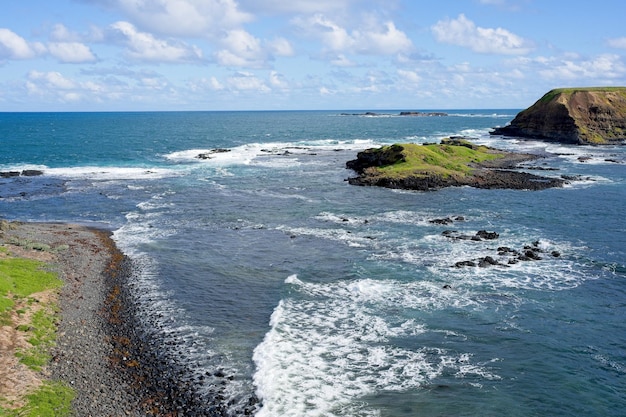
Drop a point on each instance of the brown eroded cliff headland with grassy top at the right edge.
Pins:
(574, 115)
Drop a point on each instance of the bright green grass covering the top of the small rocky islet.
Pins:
(450, 158)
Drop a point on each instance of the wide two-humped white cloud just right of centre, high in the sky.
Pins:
(374, 38)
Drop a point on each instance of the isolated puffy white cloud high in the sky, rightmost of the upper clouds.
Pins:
(463, 32)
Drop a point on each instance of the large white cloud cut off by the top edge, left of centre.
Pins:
(198, 18)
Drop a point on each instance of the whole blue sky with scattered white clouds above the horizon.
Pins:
(151, 55)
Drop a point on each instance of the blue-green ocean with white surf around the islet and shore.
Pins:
(259, 261)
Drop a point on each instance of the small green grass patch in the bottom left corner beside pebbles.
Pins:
(52, 399)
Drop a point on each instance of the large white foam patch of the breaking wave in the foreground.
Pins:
(328, 349)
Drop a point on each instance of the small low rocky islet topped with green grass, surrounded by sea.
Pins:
(453, 162)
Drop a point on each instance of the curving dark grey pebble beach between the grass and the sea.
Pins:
(115, 363)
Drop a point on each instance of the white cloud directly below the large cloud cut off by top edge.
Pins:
(144, 46)
